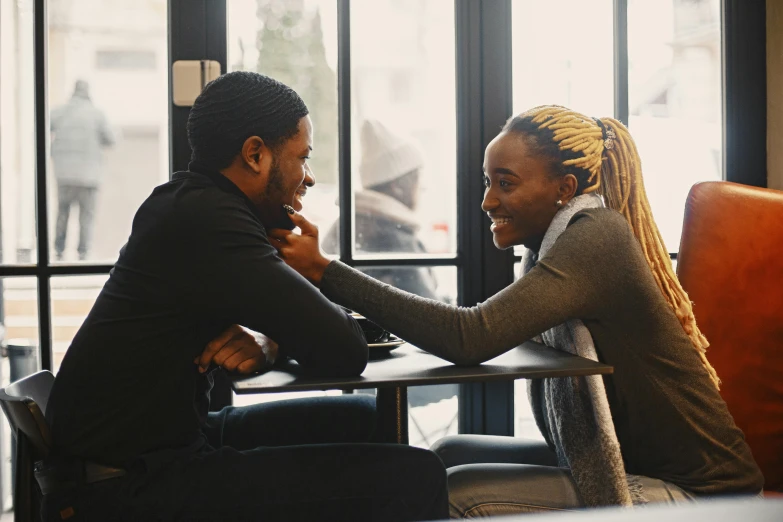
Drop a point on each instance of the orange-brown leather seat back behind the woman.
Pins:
(731, 265)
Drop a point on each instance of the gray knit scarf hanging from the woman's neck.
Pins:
(573, 412)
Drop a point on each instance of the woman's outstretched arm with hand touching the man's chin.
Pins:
(565, 284)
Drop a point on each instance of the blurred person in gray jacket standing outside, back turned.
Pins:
(79, 133)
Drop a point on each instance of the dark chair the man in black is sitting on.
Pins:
(24, 403)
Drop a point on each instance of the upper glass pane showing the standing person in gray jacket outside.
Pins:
(108, 100)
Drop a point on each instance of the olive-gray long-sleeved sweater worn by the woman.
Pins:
(670, 420)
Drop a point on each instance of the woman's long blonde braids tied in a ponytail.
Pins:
(603, 157)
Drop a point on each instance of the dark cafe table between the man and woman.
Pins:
(410, 366)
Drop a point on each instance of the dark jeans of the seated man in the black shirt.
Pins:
(303, 459)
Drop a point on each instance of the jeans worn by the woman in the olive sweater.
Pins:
(491, 476)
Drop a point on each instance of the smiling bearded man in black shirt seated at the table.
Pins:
(131, 396)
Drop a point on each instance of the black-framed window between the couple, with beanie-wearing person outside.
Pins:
(401, 176)
